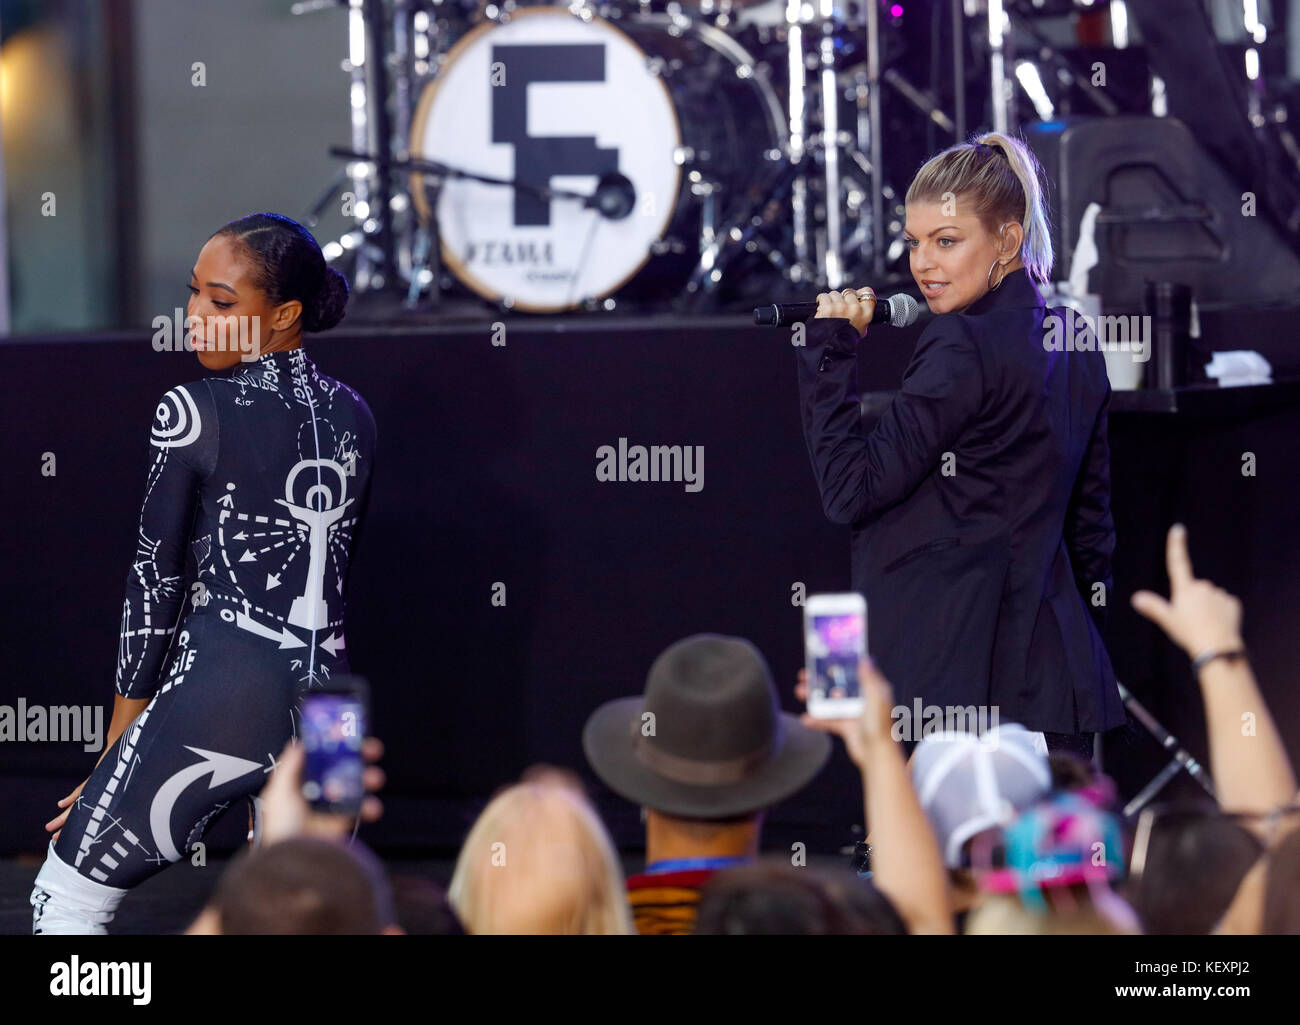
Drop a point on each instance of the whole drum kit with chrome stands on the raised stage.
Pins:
(613, 154)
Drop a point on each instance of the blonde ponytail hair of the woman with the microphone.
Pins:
(999, 175)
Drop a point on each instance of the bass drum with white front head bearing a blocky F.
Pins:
(675, 106)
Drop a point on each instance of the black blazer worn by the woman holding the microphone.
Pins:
(981, 511)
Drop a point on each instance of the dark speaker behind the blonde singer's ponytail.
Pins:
(1169, 213)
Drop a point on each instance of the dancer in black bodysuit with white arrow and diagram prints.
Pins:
(262, 474)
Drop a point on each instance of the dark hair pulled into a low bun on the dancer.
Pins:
(289, 265)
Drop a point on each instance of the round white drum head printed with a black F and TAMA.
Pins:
(557, 102)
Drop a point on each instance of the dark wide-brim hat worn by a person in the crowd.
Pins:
(708, 738)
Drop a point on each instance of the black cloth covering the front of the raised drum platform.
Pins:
(486, 473)
